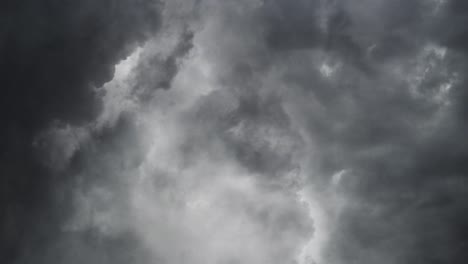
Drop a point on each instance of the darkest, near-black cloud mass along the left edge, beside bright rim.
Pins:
(53, 53)
